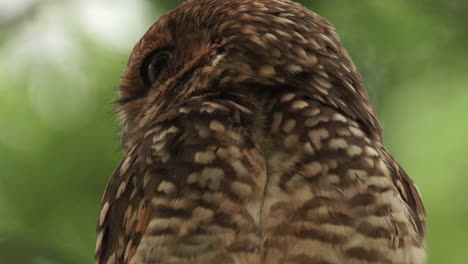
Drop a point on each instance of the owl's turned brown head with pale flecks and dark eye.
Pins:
(234, 46)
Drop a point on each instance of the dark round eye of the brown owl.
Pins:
(154, 65)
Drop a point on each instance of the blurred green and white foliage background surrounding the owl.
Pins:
(60, 63)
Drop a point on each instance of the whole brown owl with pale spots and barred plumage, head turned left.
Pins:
(250, 138)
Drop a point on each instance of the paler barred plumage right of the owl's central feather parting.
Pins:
(328, 195)
